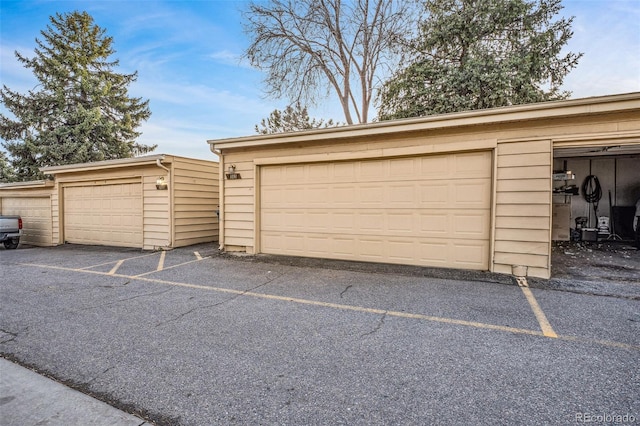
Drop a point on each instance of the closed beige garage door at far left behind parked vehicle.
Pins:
(36, 218)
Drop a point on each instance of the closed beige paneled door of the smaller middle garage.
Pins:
(104, 214)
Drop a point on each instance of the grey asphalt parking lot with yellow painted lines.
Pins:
(191, 337)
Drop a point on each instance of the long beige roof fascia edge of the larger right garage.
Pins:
(541, 110)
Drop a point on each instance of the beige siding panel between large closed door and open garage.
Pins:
(523, 215)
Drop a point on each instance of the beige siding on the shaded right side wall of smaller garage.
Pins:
(196, 191)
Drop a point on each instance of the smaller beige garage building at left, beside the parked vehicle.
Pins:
(150, 202)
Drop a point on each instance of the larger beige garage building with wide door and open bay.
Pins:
(470, 190)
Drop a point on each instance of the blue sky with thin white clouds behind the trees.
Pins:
(187, 54)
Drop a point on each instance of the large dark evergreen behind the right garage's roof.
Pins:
(475, 54)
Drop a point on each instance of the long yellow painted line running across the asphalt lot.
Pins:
(354, 308)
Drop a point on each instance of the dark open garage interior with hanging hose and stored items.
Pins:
(600, 245)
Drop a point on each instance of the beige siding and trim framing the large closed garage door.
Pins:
(521, 206)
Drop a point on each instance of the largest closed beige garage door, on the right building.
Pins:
(429, 210)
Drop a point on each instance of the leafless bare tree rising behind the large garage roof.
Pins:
(310, 45)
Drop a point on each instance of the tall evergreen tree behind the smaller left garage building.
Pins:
(80, 111)
